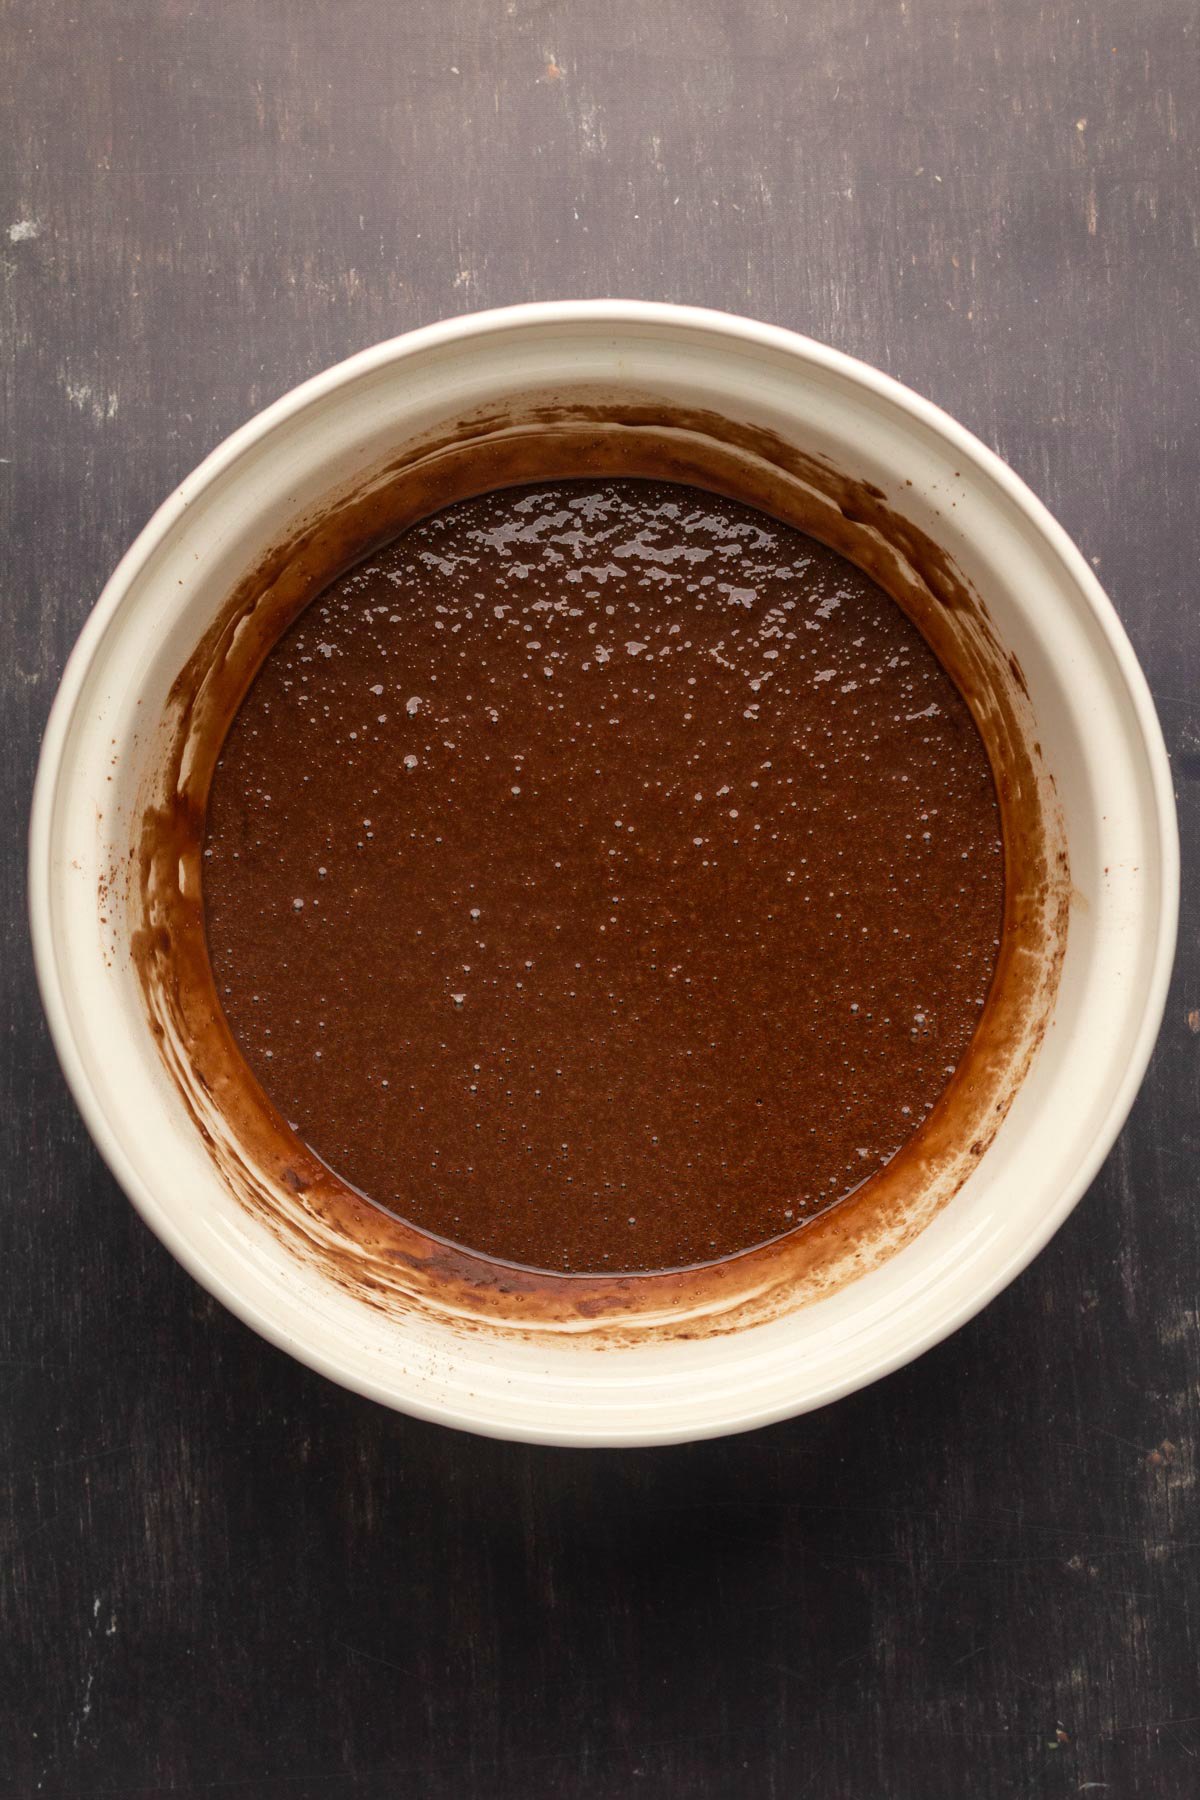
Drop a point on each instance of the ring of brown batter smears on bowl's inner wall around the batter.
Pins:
(399, 1268)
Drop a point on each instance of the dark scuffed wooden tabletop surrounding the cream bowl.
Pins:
(220, 1576)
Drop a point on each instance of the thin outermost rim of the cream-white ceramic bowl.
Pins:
(481, 325)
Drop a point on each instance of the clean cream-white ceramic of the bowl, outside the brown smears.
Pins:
(1098, 735)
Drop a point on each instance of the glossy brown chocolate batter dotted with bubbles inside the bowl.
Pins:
(604, 877)
